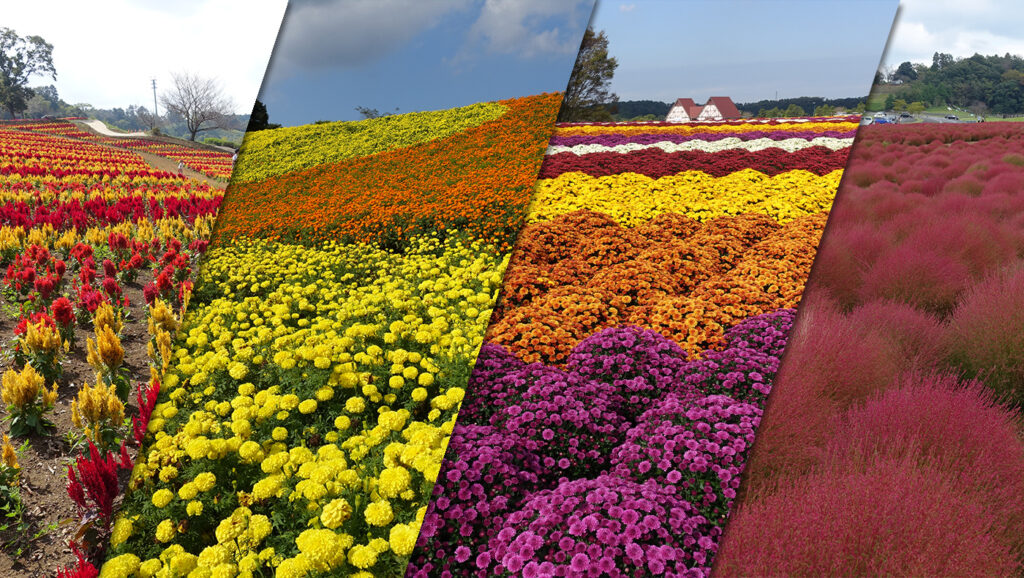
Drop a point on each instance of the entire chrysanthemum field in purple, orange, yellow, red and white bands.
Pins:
(639, 329)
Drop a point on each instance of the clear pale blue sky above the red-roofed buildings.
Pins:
(750, 51)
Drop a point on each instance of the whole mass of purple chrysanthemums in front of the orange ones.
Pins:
(623, 464)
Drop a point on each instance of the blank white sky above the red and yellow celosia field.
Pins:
(107, 57)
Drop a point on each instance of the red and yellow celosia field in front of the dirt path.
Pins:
(97, 250)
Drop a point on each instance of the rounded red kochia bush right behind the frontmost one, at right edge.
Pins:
(959, 429)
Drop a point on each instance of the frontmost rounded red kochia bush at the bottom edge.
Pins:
(894, 518)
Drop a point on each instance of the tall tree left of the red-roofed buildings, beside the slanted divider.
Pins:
(588, 91)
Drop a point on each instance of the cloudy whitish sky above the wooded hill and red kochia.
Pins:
(961, 29)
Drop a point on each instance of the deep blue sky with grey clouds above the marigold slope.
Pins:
(334, 56)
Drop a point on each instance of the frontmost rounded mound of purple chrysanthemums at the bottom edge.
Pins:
(618, 526)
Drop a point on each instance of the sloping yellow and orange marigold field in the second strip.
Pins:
(305, 416)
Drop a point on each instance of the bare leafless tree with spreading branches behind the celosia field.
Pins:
(200, 102)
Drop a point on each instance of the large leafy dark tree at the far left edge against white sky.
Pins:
(21, 59)
